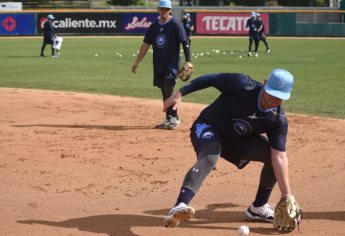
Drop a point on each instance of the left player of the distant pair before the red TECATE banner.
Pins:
(254, 27)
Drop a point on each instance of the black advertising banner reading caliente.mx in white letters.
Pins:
(83, 23)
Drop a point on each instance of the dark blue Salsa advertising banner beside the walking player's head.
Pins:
(137, 23)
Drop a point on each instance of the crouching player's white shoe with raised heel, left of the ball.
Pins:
(181, 212)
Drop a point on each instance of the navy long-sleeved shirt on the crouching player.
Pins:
(236, 113)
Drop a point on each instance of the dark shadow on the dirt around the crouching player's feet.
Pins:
(121, 224)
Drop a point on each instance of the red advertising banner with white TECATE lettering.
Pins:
(226, 23)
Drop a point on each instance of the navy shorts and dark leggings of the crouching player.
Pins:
(209, 146)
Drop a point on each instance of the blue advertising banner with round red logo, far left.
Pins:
(17, 24)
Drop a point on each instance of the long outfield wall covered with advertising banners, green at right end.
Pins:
(208, 22)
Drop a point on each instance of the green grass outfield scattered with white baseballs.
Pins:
(317, 64)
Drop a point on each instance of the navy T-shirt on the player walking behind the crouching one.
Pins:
(165, 39)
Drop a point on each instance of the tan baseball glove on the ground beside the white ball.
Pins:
(287, 214)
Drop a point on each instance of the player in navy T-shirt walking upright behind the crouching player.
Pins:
(165, 34)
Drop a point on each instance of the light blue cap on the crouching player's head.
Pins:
(279, 84)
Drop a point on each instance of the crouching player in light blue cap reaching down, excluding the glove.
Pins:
(231, 128)
